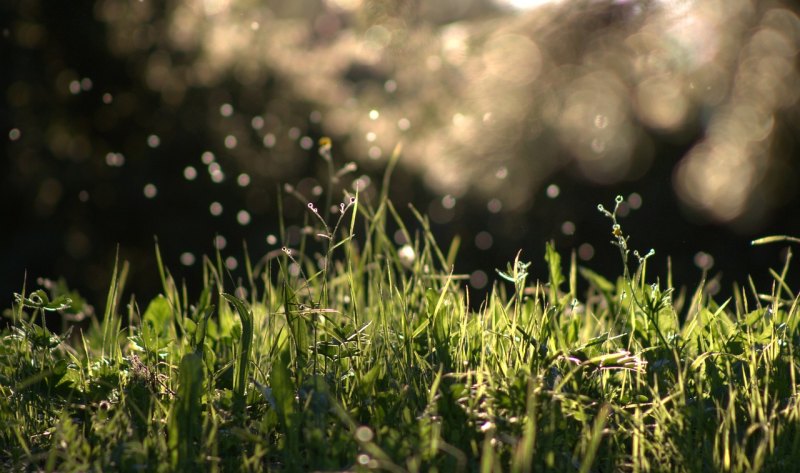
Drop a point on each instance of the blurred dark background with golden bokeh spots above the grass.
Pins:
(183, 119)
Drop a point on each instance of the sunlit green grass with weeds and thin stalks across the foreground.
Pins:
(347, 353)
